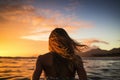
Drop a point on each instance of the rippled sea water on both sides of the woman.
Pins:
(96, 68)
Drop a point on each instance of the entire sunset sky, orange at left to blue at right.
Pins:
(25, 25)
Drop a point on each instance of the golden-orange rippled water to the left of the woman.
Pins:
(16, 68)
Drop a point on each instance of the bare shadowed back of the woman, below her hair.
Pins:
(55, 66)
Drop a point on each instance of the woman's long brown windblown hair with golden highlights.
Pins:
(61, 43)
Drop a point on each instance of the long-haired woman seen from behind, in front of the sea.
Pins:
(61, 63)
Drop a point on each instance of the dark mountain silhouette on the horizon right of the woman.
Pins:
(115, 52)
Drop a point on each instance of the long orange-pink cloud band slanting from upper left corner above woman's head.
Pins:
(25, 12)
